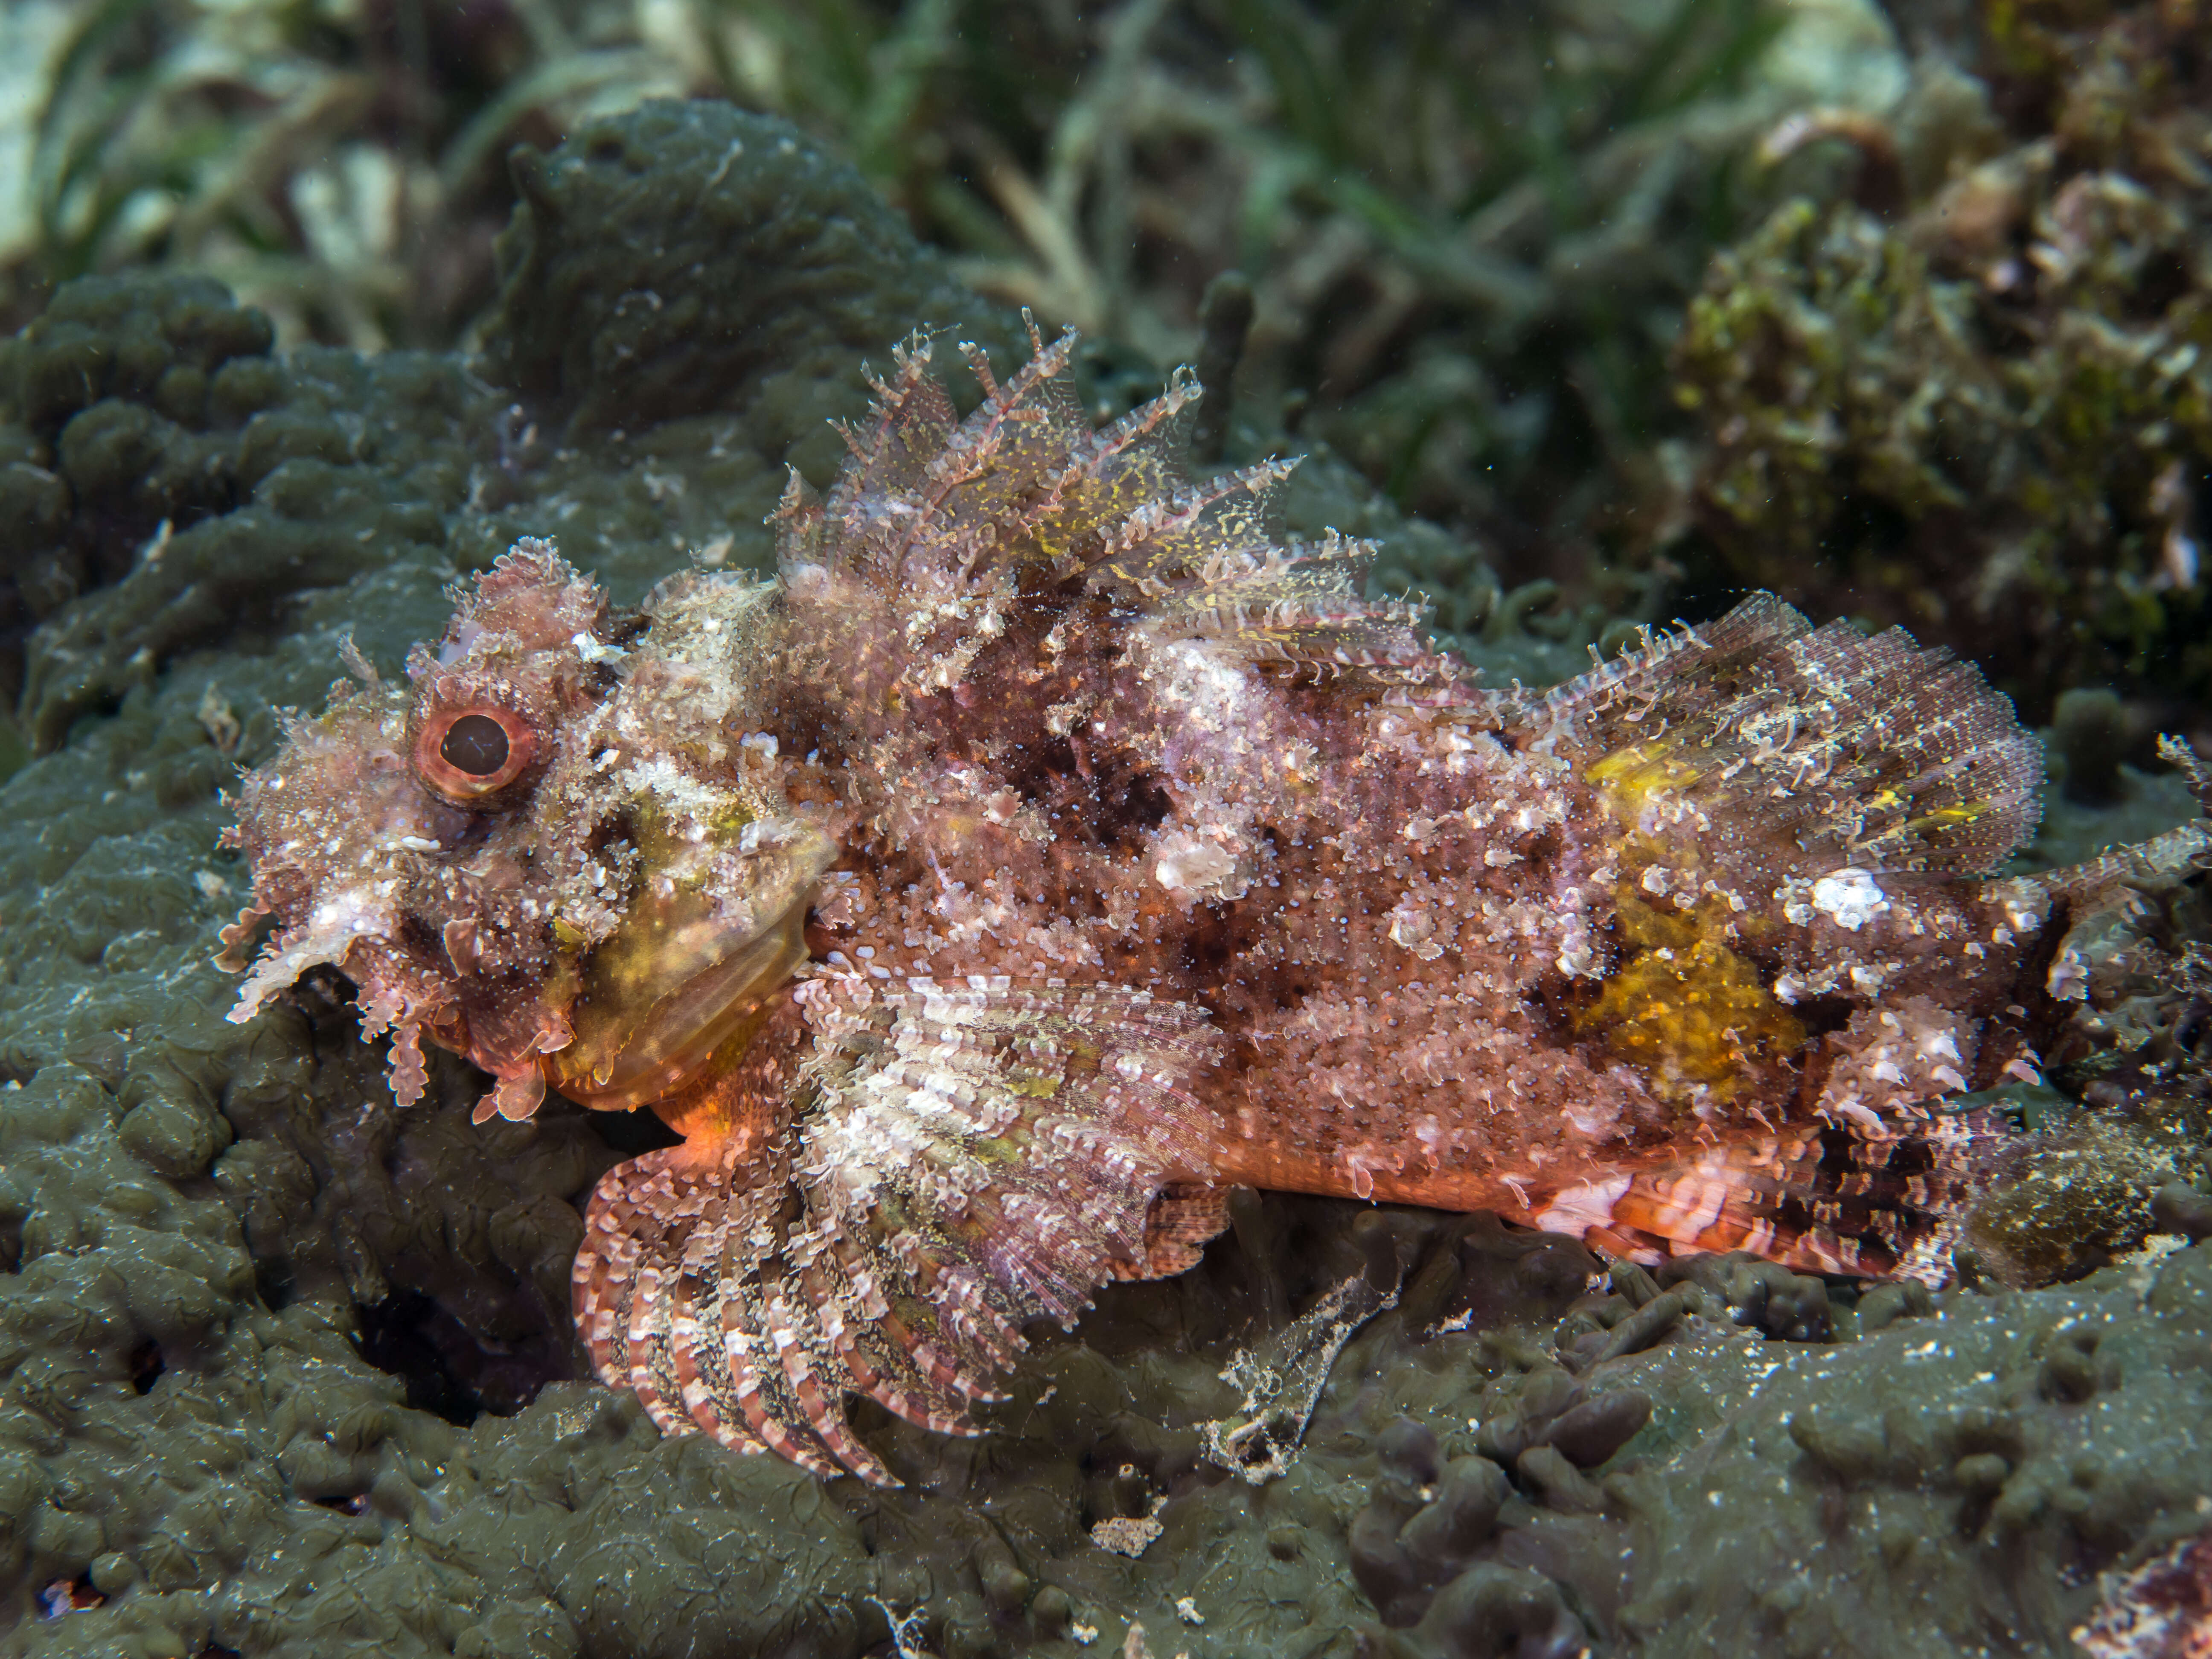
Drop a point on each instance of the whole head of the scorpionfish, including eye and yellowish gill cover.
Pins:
(556, 848)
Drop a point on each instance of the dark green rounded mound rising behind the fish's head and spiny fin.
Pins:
(696, 258)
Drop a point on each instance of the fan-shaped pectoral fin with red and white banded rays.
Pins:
(959, 1162)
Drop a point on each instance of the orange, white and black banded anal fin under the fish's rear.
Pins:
(1841, 1200)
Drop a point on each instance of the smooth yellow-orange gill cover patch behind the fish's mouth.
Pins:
(685, 983)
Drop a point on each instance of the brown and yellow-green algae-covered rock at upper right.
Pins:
(1987, 417)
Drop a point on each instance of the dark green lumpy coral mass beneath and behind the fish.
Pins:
(275, 1357)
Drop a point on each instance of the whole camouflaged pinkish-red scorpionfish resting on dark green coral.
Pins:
(1050, 851)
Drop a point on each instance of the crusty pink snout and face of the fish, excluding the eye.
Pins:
(444, 910)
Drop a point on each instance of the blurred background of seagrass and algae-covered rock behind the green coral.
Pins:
(1903, 315)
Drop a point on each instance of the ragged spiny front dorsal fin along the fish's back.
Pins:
(932, 510)
